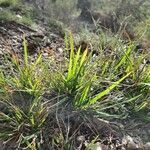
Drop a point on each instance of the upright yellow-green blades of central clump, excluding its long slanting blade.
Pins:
(71, 82)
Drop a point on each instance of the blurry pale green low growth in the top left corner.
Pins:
(17, 11)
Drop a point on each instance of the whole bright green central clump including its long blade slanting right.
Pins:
(78, 83)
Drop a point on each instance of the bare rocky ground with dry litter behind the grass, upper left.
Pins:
(39, 40)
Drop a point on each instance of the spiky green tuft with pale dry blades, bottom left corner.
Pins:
(23, 128)
